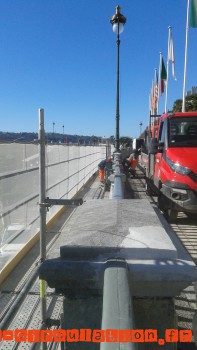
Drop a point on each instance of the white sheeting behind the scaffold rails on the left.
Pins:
(68, 168)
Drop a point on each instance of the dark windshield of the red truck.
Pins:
(182, 132)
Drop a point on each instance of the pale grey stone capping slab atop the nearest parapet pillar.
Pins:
(158, 264)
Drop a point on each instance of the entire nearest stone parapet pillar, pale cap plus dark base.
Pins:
(158, 265)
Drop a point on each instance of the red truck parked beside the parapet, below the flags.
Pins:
(169, 159)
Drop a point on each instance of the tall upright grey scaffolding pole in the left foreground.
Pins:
(42, 197)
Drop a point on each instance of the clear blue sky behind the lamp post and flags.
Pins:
(60, 55)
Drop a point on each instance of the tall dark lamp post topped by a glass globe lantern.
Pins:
(118, 21)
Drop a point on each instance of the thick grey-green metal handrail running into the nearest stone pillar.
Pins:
(117, 304)
